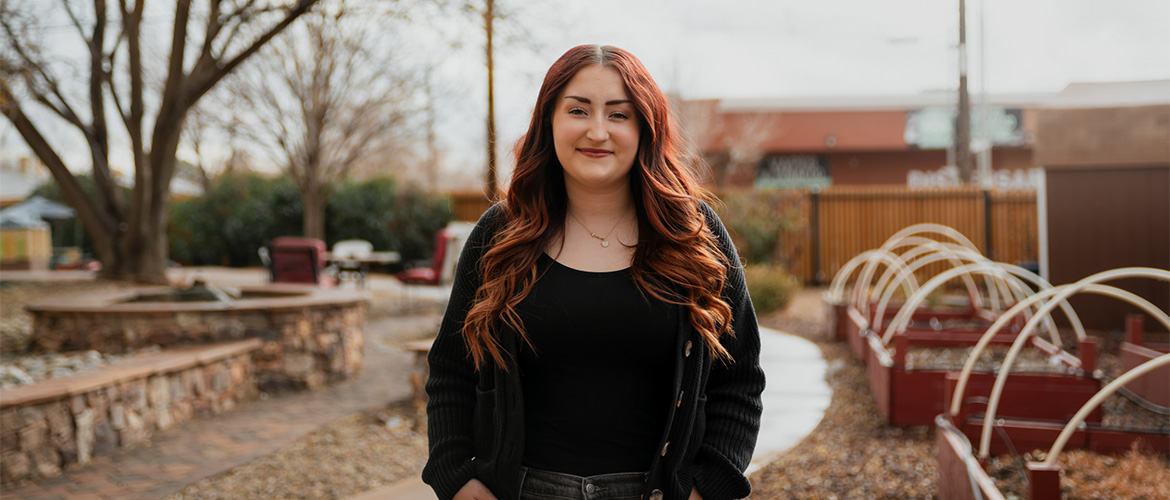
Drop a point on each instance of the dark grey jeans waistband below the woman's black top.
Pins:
(545, 485)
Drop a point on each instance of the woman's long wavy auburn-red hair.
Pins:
(677, 258)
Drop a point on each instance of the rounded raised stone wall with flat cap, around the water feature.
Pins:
(308, 341)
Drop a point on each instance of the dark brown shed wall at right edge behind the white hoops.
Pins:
(1105, 218)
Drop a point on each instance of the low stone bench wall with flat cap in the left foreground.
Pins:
(54, 424)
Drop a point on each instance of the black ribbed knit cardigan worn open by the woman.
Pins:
(476, 420)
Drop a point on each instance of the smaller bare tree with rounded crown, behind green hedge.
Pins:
(322, 101)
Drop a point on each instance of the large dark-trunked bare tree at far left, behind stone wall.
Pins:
(130, 236)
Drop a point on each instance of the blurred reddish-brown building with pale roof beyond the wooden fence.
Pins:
(804, 142)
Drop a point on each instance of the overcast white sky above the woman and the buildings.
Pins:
(784, 49)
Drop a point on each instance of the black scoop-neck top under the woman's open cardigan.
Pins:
(597, 389)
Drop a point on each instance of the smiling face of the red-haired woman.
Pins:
(596, 129)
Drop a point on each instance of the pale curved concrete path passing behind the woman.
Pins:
(795, 401)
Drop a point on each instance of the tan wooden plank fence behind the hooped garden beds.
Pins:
(831, 227)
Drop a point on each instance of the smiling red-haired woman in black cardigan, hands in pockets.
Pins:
(600, 343)
